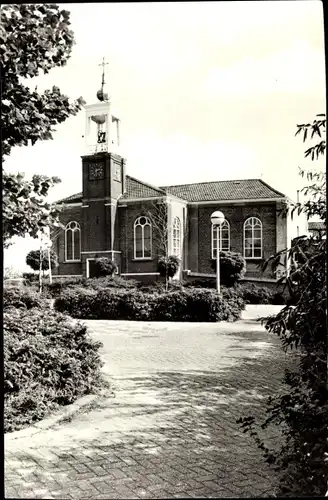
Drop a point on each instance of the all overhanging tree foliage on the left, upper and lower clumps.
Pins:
(33, 39)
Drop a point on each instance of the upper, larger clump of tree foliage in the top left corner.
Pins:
(33, 39)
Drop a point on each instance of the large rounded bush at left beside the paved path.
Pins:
(48, 362)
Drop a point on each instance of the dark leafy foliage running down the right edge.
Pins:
(302, 409)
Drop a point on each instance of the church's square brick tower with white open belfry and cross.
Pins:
(103, 180)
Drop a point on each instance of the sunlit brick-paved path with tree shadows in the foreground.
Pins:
(171, 430)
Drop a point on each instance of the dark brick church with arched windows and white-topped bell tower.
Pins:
(116, 215)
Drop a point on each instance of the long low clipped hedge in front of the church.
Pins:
(176, 305)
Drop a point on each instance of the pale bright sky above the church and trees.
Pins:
(205, 91)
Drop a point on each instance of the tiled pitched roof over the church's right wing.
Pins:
(245, 189)
